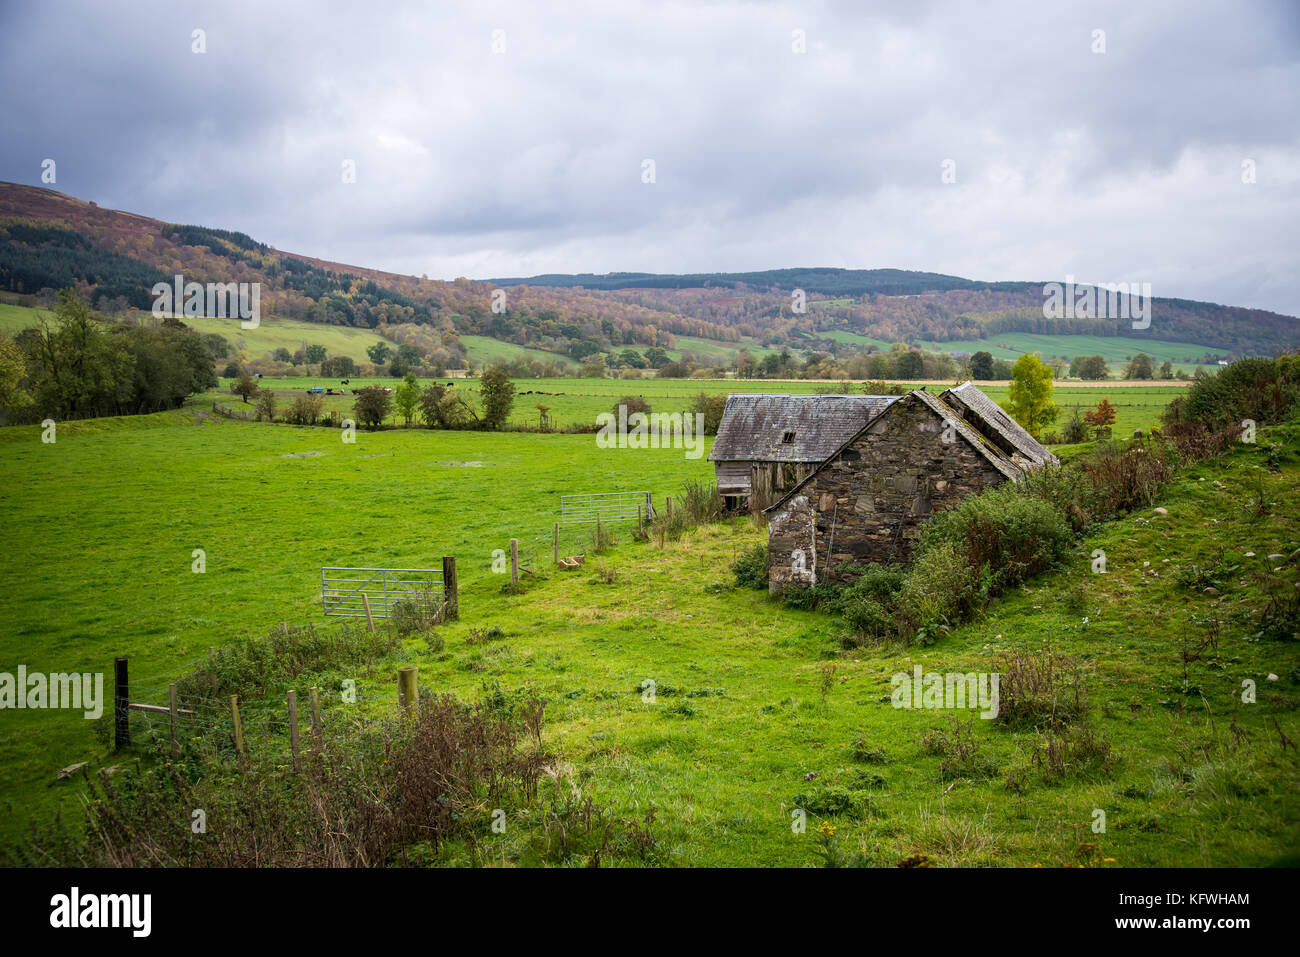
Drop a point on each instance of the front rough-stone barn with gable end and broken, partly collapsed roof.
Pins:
(868, 500)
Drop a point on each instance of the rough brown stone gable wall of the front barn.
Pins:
(868, 504)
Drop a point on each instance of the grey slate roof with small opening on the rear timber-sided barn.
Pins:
(755, 426)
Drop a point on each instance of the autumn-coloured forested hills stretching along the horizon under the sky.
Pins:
(50, 241)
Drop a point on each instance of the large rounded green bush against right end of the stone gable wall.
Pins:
(1003, 531)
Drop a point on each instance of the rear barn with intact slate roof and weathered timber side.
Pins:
(768, 444)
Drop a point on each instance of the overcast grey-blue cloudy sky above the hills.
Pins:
(1117, 166)
